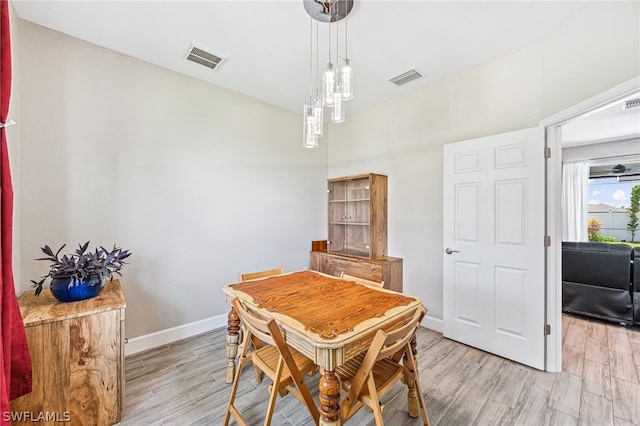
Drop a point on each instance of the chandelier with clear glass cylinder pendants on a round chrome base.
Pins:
(335, 87)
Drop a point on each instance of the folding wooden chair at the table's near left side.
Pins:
(282, 364)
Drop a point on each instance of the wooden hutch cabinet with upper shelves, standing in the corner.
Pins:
(357, 228)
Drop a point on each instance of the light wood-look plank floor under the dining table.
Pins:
(184, 383)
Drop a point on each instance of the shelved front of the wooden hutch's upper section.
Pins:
(350, 217)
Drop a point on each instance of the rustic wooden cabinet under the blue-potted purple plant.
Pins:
(77, 354)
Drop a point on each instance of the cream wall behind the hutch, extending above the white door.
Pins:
(404, 138)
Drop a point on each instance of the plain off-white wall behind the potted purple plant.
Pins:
(197, 181)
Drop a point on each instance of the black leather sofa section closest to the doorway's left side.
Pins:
(598, 280)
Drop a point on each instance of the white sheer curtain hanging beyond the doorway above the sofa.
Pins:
(575, 196)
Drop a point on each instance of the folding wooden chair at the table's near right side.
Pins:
(369, 376)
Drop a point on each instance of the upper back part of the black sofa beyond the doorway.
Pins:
(597, 264)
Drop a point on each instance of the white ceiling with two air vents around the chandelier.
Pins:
(267, 43)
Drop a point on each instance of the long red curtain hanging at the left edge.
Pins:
(15, 379)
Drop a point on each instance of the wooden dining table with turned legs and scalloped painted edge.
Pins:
(328, 319)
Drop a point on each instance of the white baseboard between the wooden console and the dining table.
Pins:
(164, 337)
